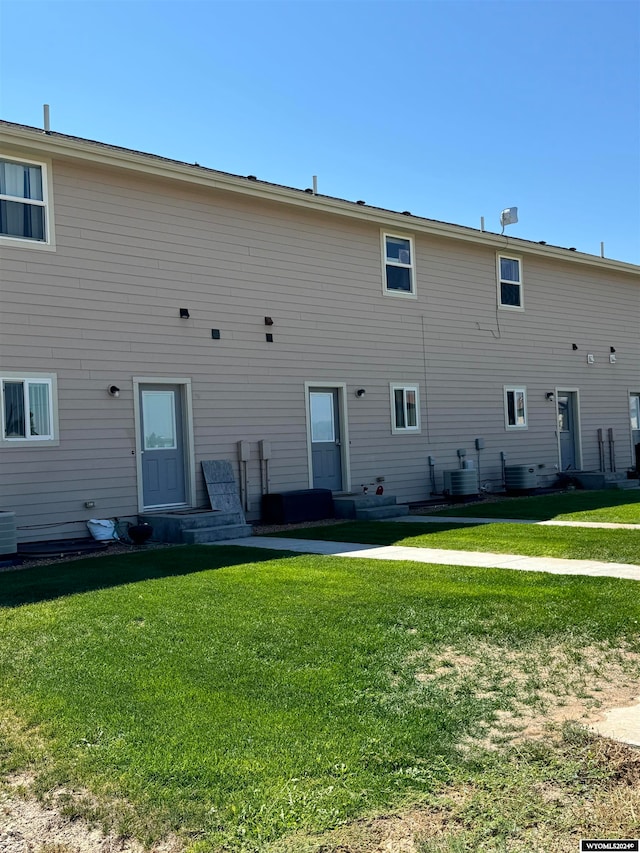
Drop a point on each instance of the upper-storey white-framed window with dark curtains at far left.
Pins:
(25, 203)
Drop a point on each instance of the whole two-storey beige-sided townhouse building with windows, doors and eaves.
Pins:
(154, 314)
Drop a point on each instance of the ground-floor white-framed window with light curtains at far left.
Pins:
(29, 408)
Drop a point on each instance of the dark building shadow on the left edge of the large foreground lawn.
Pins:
(55, 580)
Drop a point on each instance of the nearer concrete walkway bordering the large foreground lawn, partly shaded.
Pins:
(553, 565)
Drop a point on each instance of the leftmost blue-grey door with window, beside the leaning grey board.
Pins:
(162, 446)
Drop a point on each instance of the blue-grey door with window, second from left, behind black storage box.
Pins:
(325, 426)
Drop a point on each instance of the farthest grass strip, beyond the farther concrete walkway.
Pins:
(622, 507)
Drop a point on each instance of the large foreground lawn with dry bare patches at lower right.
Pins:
(254, 701)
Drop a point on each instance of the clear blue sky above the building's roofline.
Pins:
(452, 110)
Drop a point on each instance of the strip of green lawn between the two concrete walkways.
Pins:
(579, 543)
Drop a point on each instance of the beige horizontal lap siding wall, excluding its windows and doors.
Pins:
(131, 249)
